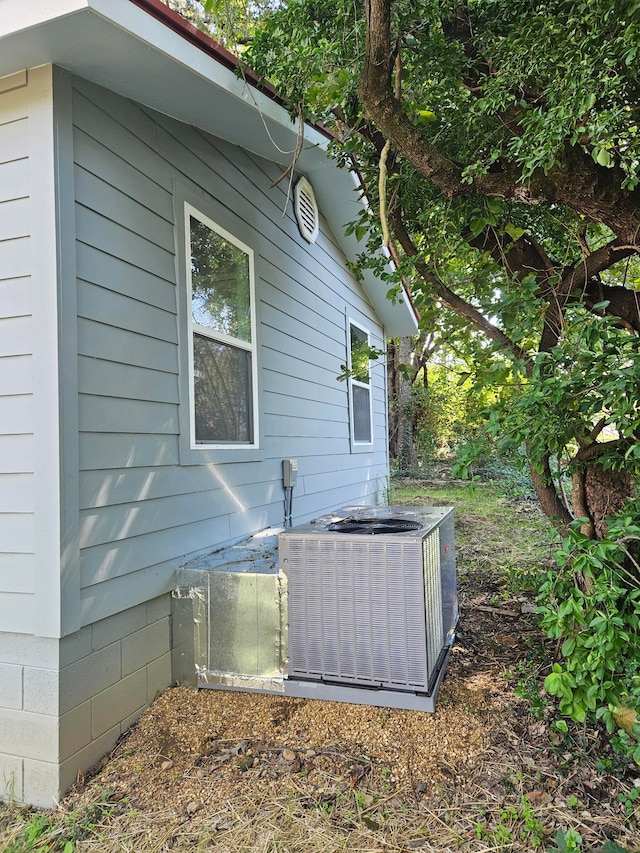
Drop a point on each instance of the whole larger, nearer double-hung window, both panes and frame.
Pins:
(221, 336)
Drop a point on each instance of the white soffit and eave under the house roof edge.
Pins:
(116, 44)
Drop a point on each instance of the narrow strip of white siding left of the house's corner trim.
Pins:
(17, 537)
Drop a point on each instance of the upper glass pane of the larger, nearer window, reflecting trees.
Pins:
(220, 289)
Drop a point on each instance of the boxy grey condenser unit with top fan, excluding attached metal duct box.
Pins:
(372, 604)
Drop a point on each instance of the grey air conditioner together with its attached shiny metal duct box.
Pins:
(359, 605)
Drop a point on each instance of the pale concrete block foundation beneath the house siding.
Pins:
(64, 703)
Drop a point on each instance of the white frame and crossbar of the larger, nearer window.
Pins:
(189, 211)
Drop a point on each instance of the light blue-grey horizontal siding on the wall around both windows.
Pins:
(141, 512)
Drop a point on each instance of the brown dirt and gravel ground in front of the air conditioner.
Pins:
(487, 772)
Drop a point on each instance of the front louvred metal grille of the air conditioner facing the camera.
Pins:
(356, 612)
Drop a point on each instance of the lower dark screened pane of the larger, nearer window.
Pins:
(222, 390)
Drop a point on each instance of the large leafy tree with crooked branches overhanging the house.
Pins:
(499, 144)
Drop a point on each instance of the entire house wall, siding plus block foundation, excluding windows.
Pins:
(99, 500)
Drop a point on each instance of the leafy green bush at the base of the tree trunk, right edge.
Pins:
(591, 605)
